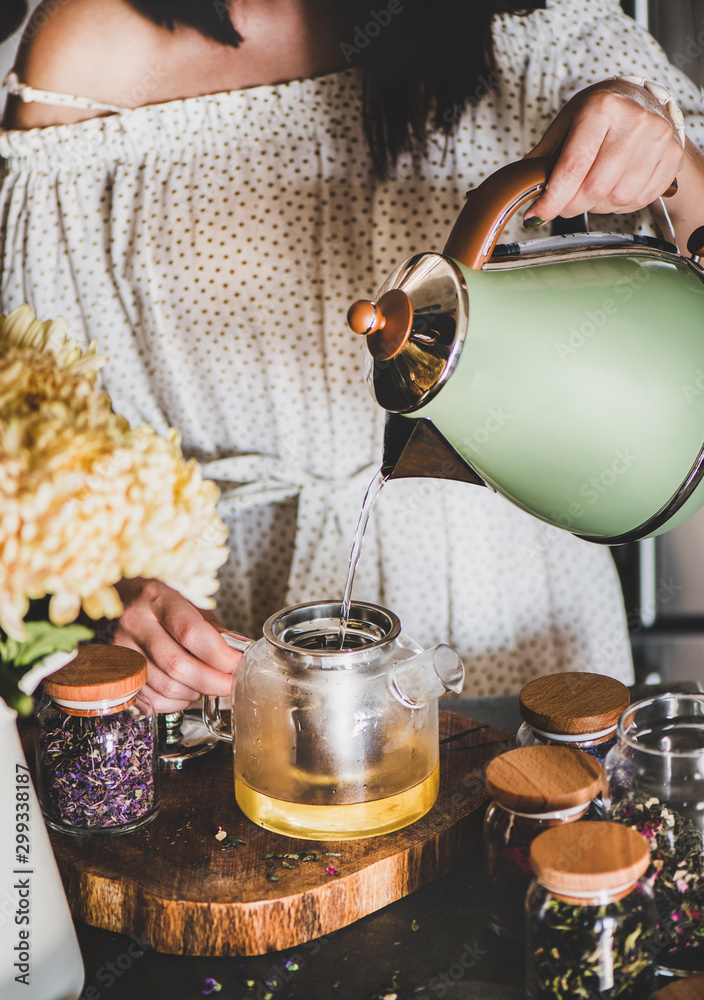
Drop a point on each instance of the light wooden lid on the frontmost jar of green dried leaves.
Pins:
(589, 857)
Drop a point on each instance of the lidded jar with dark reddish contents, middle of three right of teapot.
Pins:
(532, 789)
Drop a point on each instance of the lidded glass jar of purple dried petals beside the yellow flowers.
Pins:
(96, 744)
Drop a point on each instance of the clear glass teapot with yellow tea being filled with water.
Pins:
(330, 743)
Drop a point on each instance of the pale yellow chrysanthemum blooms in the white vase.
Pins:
(85, 500)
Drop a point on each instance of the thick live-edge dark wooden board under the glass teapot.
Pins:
(183, 892)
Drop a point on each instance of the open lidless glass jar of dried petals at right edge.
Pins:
(656, 786)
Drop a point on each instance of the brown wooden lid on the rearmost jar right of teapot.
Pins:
(574, 702)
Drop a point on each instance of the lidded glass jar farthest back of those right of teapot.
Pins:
(572, 709)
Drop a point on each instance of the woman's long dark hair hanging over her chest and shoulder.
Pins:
(424, 61)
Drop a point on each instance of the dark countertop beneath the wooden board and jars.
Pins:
(429, 946)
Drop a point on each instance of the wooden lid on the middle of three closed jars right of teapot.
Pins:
(543, 779)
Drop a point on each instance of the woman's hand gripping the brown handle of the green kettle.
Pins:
(616, 151)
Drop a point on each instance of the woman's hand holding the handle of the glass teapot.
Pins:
(186, 656)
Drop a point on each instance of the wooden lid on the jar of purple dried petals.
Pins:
(99, 673)
